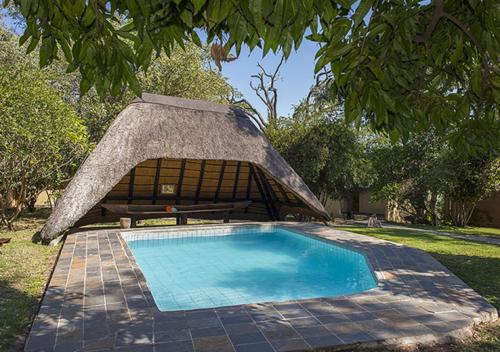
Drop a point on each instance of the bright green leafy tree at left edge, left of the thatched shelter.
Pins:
(42, 140)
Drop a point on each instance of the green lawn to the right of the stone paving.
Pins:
(478, 264)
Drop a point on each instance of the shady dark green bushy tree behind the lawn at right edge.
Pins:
(427, 178)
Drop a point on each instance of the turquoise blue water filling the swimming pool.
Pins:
(249, 265)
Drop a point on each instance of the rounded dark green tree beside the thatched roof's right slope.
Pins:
(328, 154)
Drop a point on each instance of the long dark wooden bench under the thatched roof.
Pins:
(135, 211)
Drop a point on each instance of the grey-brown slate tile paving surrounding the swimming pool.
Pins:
(97, 300)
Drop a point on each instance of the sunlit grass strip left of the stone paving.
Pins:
(24, 270)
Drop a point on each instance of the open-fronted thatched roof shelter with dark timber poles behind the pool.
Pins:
(199, 152)
